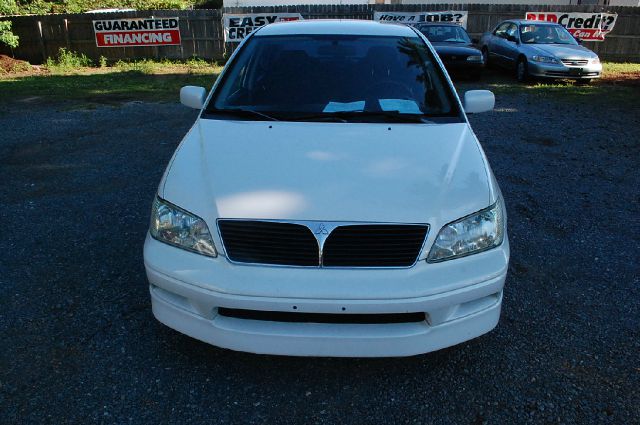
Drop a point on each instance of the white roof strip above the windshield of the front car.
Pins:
(336, 26)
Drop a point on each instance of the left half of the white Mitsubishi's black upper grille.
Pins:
(267, 242)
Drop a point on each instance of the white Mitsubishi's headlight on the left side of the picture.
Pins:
(177, 227)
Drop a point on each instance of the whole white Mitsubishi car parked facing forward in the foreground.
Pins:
(331, 199)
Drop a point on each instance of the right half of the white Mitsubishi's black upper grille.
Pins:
(373, 246)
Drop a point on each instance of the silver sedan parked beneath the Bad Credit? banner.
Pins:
(539, 49)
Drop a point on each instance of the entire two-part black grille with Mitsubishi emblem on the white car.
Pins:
(346, 245)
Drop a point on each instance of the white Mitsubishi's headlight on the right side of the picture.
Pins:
(477, 232)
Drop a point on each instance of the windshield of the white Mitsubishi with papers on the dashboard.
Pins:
(339, 77)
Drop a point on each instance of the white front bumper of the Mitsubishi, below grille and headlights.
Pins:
(461, 298)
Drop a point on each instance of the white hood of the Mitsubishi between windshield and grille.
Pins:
(408, 173)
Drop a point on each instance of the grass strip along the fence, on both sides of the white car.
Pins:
(74, 77)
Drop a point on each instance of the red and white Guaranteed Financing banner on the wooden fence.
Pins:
(137, 32)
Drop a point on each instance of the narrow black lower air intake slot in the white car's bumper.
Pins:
(291, 317)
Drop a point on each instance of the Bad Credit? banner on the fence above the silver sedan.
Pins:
(585, 26)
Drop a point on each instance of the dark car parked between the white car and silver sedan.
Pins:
(455, 48)
